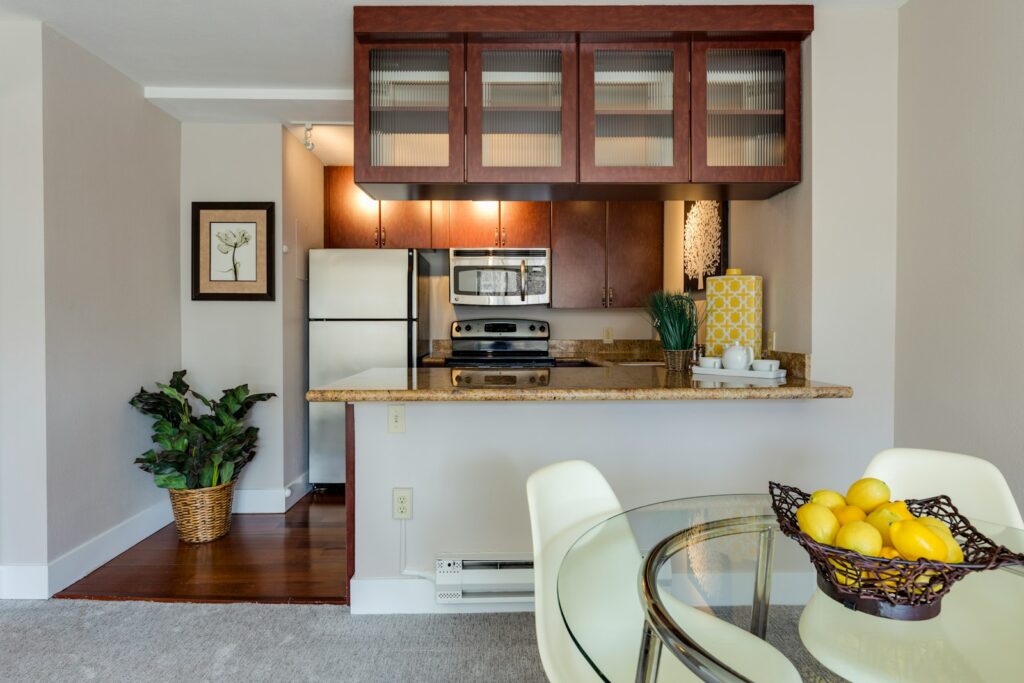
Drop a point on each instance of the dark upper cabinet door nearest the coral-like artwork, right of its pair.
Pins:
(636, 246)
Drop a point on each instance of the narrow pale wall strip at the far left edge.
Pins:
(23, 324)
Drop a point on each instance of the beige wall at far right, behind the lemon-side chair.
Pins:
(959, 345)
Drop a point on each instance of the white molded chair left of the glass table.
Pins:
(567, 500)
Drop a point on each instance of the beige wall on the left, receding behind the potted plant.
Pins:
(113, 320)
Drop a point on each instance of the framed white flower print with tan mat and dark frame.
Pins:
(233, 251)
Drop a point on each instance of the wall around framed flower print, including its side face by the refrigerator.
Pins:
(263, 344)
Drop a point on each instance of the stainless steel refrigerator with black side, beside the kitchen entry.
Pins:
(368, 309)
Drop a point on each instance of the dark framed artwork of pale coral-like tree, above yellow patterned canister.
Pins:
(706, 242)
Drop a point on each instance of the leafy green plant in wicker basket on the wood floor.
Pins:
(200, 455)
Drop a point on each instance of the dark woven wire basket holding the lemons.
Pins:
(894, 589)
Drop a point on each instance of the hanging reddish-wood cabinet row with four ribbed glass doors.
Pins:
(578, 103)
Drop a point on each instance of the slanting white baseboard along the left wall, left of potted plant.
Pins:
(76, 564)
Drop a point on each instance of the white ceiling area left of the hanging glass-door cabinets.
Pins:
(247, 61)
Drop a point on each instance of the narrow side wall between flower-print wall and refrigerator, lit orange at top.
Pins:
(303, 224)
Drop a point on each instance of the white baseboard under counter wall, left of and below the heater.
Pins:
(413, 596)
